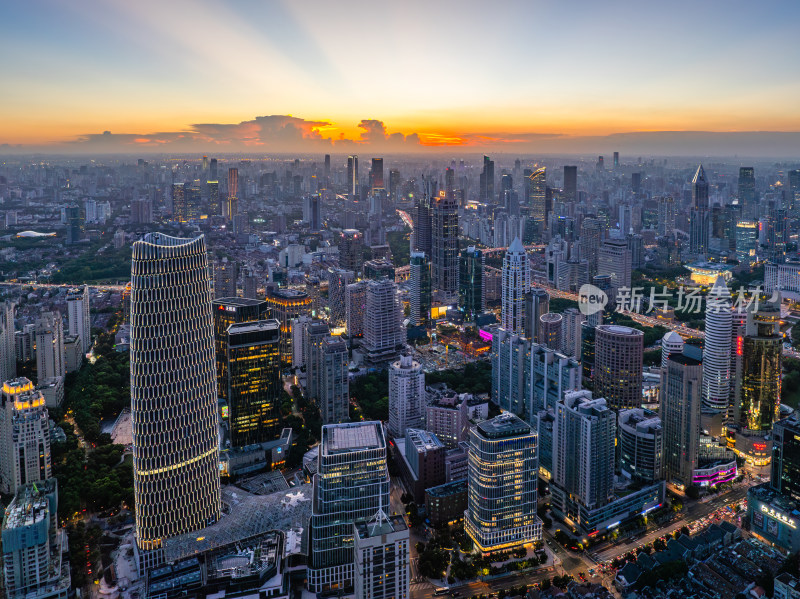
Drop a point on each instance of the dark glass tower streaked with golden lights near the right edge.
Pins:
(761, 377)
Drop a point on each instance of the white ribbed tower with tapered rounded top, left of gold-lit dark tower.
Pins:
(717, 349)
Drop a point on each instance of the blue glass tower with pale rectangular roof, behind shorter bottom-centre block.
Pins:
(350, 486)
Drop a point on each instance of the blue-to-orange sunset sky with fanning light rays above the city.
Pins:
(189, 75)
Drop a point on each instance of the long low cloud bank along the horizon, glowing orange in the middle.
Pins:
(286, 134)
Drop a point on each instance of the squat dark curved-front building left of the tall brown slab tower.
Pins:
(641, 443)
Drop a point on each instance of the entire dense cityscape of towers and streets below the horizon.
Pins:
(280, 377)
